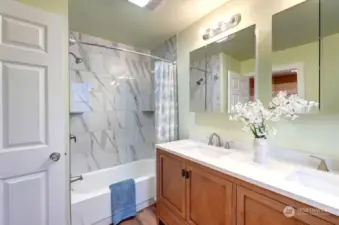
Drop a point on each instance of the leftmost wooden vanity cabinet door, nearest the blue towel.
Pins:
(171, 183)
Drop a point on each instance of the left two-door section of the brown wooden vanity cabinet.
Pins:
(191, 194)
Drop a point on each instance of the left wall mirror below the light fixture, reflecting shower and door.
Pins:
(218, 73)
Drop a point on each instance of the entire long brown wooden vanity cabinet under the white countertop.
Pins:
(191, 194)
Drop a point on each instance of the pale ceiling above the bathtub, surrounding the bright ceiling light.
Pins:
(121, 21)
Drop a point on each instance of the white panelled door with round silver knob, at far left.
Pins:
(32, 117)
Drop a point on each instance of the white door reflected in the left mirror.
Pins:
(238, 89)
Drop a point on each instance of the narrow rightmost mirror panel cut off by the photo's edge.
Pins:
(329, 77)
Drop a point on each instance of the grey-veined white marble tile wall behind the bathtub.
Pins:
(119, 126)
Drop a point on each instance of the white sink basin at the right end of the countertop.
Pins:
(321, 181)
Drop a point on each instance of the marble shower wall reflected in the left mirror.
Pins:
(205, 95)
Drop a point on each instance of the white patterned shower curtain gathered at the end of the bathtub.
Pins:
(166, 102)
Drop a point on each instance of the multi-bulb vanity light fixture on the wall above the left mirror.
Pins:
(221, 27)
